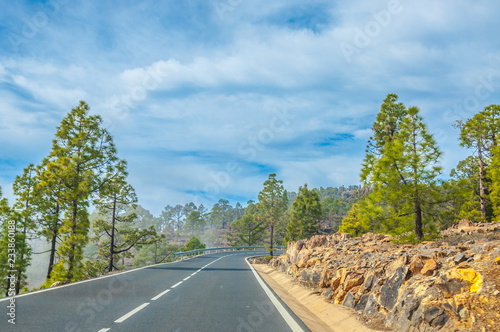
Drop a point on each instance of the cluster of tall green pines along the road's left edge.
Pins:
(53, 199)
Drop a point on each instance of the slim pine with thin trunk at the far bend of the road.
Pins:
(272, 204)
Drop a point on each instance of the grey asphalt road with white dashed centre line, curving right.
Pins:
(214, 292)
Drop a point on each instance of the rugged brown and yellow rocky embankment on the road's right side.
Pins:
(448, 285)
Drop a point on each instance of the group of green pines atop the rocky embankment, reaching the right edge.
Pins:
(401, 168)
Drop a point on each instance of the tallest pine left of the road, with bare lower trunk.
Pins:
(82, 154)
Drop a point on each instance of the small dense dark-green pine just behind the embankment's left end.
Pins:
(305, 217)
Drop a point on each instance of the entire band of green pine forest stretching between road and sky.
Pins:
(77, 210)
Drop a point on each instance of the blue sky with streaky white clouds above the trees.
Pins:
(206, 98)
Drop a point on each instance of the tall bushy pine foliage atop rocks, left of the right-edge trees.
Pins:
(401, 169)
